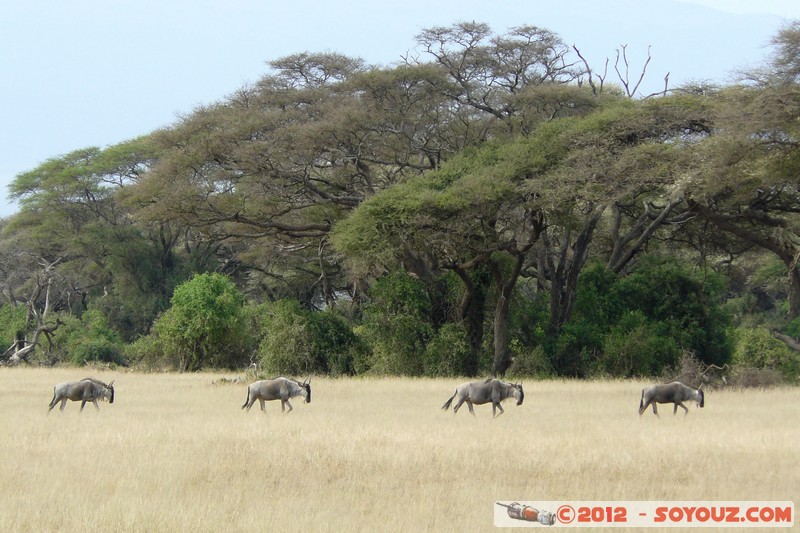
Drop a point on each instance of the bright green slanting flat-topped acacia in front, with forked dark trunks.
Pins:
(531, 206)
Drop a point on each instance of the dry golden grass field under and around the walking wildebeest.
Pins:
(176, 453)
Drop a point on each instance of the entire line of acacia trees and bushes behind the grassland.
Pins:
(489, 205)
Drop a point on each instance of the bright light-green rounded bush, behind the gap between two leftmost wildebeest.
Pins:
(204, 324)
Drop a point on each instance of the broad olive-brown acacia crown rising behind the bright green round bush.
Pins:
(267, 171)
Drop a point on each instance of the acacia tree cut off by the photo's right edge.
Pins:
(746, 178)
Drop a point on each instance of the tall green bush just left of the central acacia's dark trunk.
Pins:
(397, 326)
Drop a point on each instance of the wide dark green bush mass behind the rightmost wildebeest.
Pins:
(639, 324)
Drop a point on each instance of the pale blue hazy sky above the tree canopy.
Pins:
(79, 73)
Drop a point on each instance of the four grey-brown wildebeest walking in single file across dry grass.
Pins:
(492, 391)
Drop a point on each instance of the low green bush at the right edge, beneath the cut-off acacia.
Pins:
(757, 348)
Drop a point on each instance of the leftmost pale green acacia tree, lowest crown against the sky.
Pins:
(74, 206)
